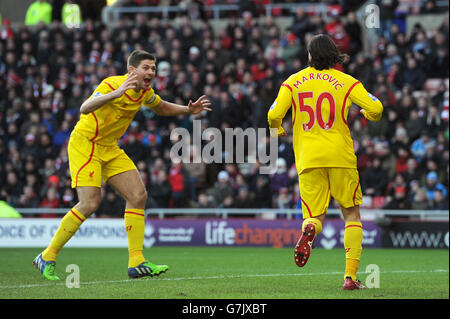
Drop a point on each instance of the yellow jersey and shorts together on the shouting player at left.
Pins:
(93, 151)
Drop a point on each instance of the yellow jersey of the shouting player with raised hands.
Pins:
(109, 122)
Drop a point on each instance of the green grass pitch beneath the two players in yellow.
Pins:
(227, 273)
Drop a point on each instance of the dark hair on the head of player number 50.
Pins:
(324, 52)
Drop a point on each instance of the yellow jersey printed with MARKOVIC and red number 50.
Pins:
(320, 102)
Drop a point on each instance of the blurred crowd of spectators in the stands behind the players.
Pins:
(47, 71)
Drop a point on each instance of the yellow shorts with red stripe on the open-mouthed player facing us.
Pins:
(90, 163)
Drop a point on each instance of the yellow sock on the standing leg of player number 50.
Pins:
(353, 236)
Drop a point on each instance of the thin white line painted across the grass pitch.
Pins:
(219, 277)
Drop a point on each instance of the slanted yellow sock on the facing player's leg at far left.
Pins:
(67, 228)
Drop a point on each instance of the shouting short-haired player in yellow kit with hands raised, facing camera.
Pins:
(95, 156)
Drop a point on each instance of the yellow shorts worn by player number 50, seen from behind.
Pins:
(318, 184)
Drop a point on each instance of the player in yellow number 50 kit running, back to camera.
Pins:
(320, 97)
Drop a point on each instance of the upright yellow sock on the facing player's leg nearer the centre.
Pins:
(135, 227)
